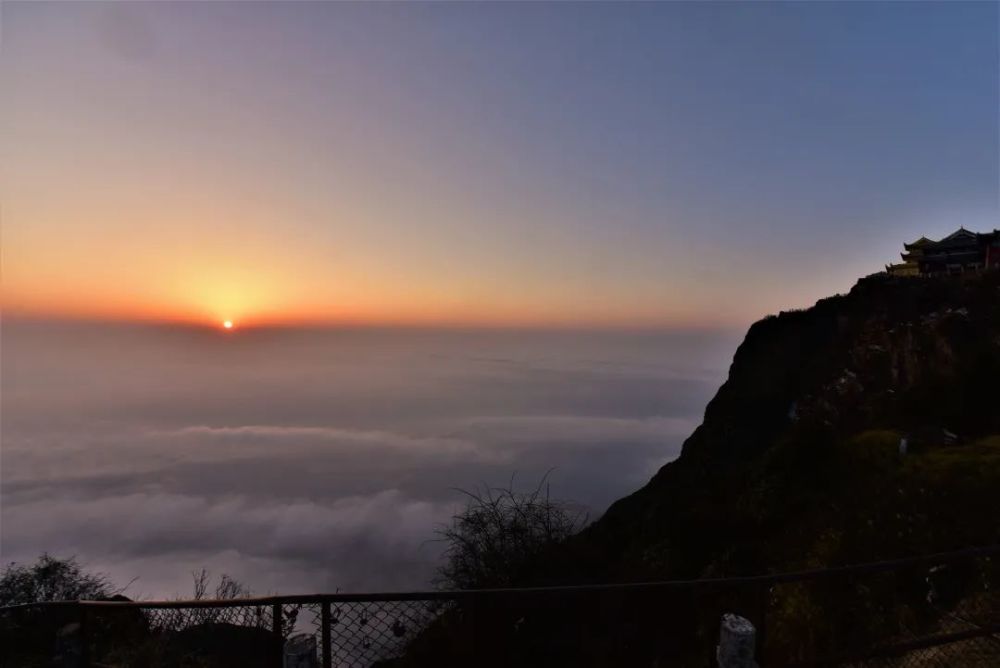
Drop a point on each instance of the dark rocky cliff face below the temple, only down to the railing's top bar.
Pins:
(798, 462)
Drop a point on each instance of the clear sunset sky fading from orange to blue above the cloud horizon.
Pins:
(676, 164)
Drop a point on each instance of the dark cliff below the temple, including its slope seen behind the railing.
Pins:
(863, 428)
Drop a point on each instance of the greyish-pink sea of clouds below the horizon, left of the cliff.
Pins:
(317, 460)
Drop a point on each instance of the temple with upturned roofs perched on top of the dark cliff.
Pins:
(961, 252)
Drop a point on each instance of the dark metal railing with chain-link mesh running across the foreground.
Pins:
(934, 610)
